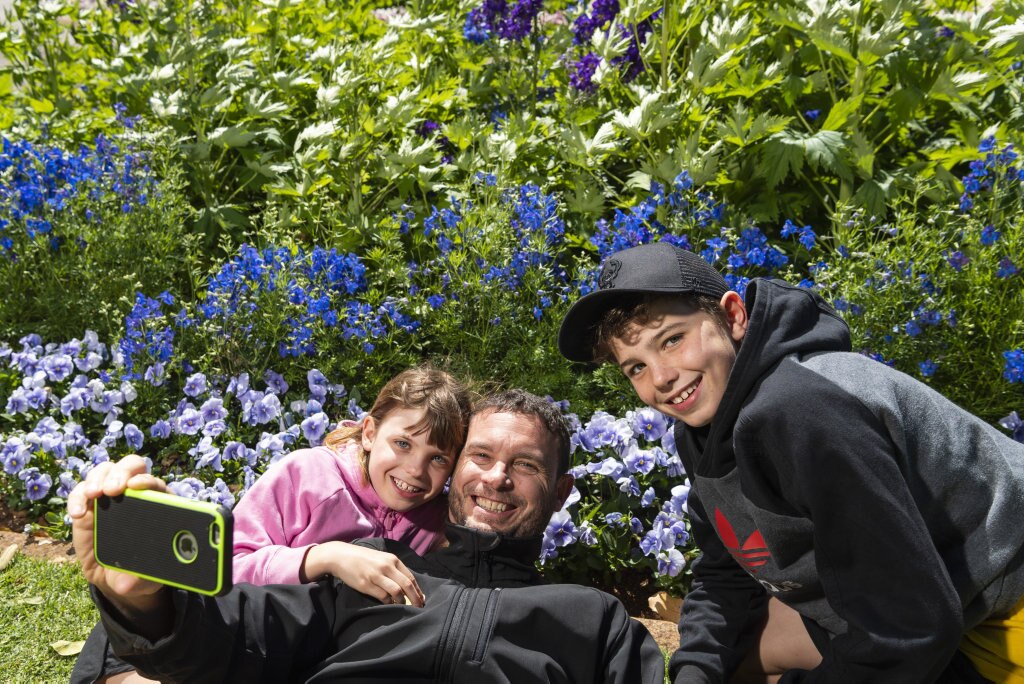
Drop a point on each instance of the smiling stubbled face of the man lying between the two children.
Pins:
(505, 481)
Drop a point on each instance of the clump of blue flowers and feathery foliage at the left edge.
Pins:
(86, 231)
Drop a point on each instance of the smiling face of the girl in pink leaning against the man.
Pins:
(406, 471)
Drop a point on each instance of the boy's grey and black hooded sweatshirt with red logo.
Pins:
(886, 516)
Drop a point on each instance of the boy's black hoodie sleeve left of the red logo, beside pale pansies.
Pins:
(722, 614)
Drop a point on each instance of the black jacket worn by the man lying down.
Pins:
(487, 619)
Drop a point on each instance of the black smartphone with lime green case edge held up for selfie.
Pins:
(167, 539)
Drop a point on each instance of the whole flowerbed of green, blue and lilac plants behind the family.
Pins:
(225, 225)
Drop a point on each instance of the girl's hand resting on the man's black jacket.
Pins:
(370, 572)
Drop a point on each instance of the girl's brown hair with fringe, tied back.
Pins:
(446, 401)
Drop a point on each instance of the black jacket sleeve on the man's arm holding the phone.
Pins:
(253, 634)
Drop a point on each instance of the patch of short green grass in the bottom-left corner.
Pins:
(30, 626)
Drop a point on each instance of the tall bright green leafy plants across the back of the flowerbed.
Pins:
(317, 112)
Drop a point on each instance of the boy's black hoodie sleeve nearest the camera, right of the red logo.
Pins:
(880, 570)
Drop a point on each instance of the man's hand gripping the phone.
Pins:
(129, 593)
